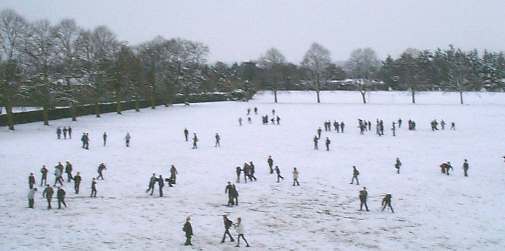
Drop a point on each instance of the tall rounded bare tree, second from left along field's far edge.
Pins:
(316, 60)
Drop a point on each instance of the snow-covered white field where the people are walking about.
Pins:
(432, 211)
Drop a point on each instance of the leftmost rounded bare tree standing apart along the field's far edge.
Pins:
(272, 62)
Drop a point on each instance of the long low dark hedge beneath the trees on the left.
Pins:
(59, 113)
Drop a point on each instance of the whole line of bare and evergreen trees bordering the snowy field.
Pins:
(64, 64)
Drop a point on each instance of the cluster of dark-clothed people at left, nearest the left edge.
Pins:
(58, 179)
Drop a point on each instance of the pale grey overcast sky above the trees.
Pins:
(238, 30)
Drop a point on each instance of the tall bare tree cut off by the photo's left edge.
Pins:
(12, 28)
